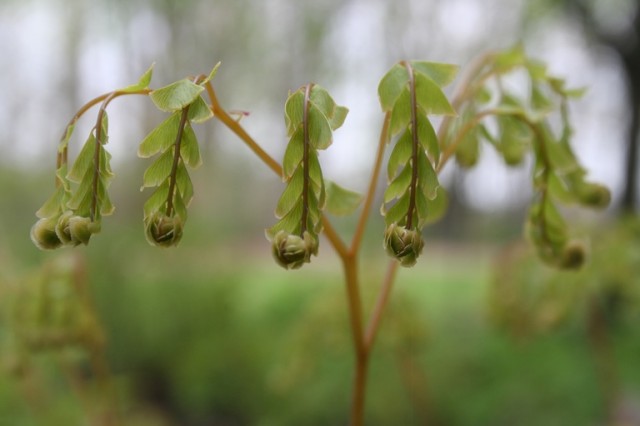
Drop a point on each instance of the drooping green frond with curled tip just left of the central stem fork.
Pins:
(311, 115)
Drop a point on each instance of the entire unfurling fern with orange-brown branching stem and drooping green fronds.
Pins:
(410, 93)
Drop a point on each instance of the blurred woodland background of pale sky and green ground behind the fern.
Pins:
(213, 333)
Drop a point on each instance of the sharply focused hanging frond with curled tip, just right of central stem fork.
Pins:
(414, 197)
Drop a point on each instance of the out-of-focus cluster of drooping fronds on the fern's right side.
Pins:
(525, 125)
